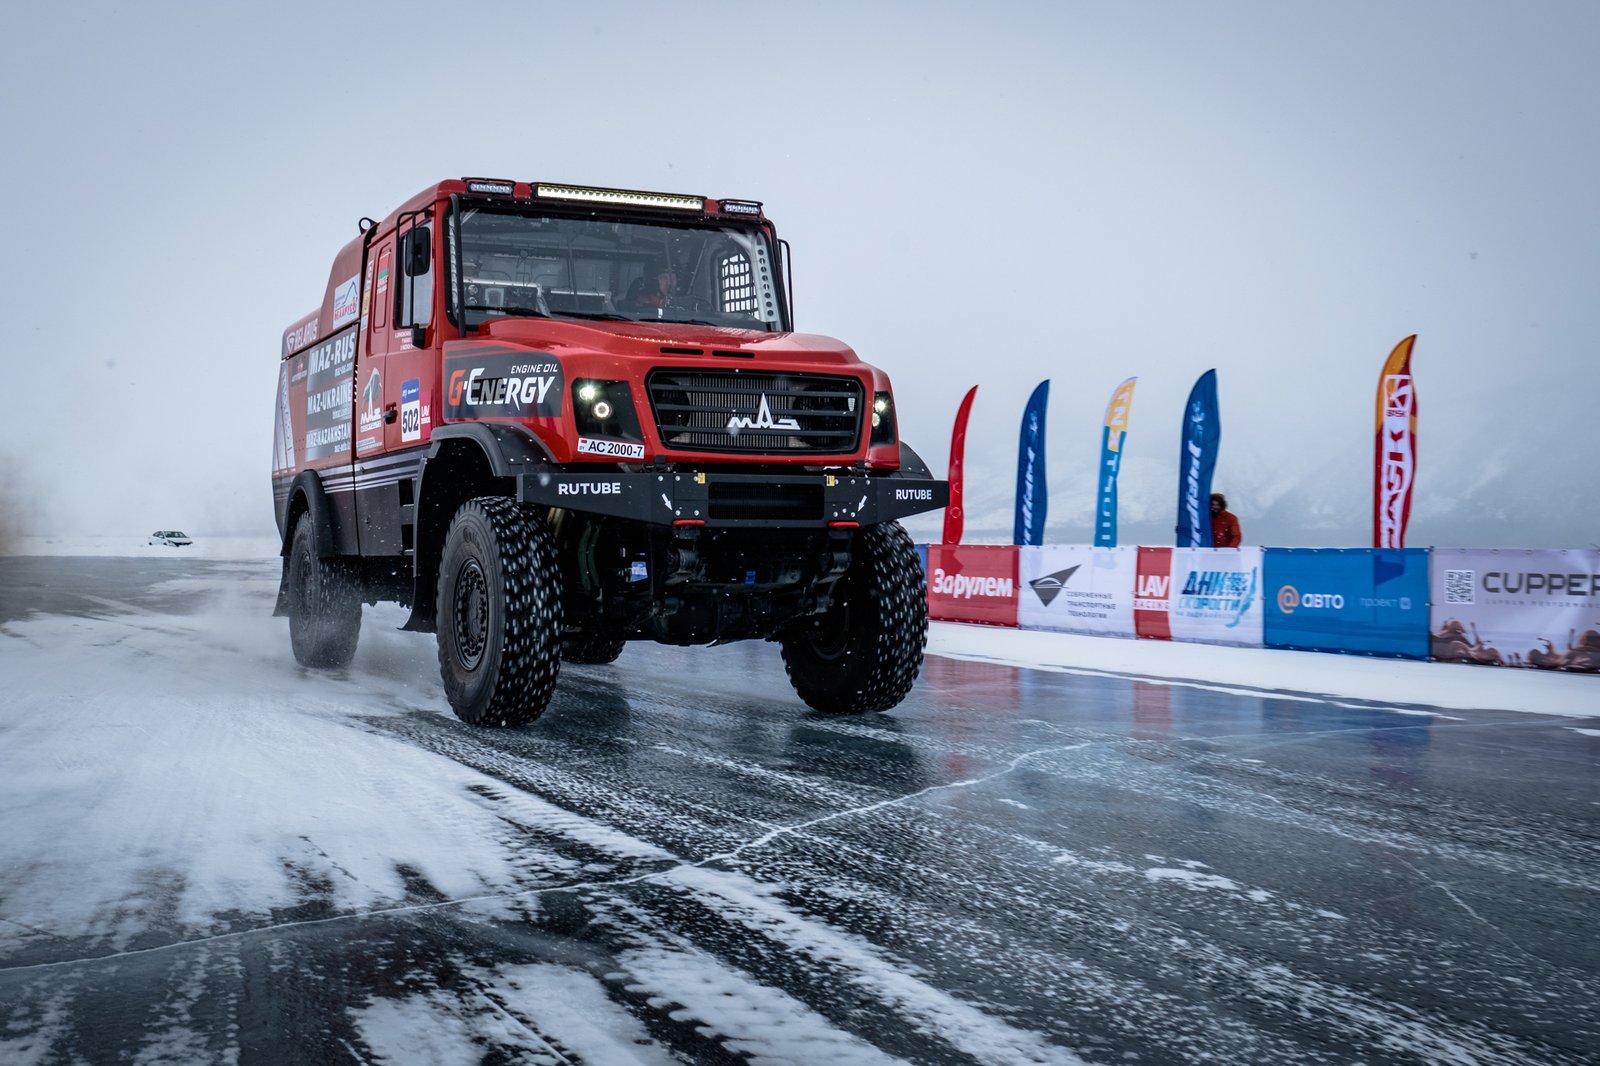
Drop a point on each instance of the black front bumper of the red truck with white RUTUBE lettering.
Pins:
(722, 500)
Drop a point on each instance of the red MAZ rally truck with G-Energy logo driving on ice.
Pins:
(554, 419)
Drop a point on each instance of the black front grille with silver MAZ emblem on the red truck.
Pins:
(764, 412)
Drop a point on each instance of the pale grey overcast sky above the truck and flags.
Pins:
(977, 194)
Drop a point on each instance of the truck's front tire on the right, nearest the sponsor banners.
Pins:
(865, 654)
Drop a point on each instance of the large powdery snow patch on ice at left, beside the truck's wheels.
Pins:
(161, 772)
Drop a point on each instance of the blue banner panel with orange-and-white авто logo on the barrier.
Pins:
(1369, 601)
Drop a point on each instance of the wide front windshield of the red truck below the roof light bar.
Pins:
(513, 262)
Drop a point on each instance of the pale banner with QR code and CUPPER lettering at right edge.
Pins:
(1516, 607)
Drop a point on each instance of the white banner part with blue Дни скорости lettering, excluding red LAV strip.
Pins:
(1217, 596)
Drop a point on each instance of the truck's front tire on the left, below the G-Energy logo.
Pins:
(500, 614)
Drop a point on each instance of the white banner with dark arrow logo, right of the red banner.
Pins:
(1078, 590)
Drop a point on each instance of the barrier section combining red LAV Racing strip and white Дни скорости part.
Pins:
(1207, 595)
